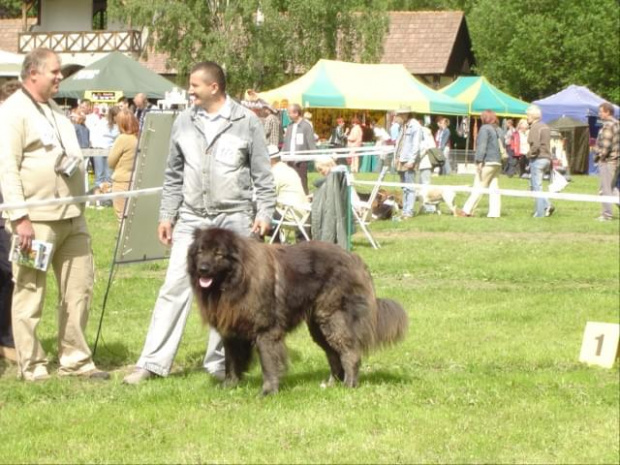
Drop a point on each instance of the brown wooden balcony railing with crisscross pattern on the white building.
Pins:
(82, 42)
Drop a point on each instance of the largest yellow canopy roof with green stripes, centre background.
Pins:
(338, 84)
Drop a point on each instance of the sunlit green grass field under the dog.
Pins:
(489, 372)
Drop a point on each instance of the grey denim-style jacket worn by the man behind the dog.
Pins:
(220, 177)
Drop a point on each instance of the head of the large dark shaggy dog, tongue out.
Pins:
(213, 257)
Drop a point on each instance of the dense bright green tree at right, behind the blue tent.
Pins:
(534, 48)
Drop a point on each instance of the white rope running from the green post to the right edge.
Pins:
(505, 192)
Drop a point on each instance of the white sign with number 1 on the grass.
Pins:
(600, 344)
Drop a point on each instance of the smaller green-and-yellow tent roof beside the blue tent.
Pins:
(479, 95)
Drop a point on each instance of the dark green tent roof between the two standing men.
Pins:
(115, 72)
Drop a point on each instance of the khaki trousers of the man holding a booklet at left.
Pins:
(72, 262)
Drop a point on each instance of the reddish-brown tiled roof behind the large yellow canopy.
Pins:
(424, 41)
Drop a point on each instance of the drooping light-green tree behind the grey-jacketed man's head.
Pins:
(291, 37)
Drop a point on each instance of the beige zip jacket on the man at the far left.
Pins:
(29, 148)
